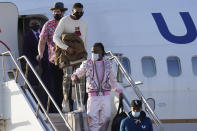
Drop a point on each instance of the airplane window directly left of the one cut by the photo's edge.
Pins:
(174, 66)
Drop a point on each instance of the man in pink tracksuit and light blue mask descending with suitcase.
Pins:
(100, 81)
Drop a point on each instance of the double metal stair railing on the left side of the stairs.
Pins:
(8, 53)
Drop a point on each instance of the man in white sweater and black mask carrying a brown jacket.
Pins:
(72, 23)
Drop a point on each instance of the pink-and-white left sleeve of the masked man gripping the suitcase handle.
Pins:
(81, 70)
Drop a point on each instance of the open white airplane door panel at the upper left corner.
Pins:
(8, 28)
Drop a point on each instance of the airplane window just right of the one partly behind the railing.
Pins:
(148, 66)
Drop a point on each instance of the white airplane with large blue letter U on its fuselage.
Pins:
(154, 41)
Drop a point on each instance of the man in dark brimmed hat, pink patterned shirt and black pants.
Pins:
(46, 37)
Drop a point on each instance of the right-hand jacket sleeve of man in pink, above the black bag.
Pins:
(113, 82)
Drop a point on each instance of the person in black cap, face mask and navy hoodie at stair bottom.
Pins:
(137, 119)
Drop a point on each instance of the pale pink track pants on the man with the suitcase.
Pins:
(99, 112)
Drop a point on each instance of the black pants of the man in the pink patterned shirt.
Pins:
(56, 77)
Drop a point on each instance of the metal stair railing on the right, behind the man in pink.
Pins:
(137, 91)
